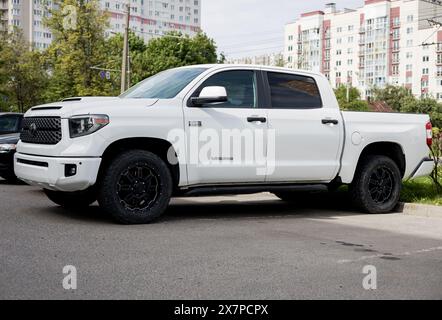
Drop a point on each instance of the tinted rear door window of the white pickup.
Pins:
(289, 91)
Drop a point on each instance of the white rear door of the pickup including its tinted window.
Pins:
(307, 131)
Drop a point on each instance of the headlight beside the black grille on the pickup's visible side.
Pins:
(86, 124)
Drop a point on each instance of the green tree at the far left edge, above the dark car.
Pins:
(22, 76)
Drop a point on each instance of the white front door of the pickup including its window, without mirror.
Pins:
(226, 142)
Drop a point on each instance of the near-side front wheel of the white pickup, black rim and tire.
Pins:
(136, 187)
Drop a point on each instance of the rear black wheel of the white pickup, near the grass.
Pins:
(377, 185)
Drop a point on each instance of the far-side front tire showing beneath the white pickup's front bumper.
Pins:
(73, 200)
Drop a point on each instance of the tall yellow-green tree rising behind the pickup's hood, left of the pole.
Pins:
(78, 29)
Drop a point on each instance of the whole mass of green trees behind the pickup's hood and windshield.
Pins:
(76, 62)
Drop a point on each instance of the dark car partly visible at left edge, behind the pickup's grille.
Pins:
(10, 126)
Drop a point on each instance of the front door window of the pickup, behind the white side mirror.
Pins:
(240, 86)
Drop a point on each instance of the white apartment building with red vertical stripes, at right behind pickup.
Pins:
(383, 42)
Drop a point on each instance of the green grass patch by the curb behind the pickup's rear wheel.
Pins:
(421, 190)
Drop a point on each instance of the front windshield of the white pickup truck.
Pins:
(164, 85)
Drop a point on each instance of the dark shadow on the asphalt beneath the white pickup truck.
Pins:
(320, 206)
